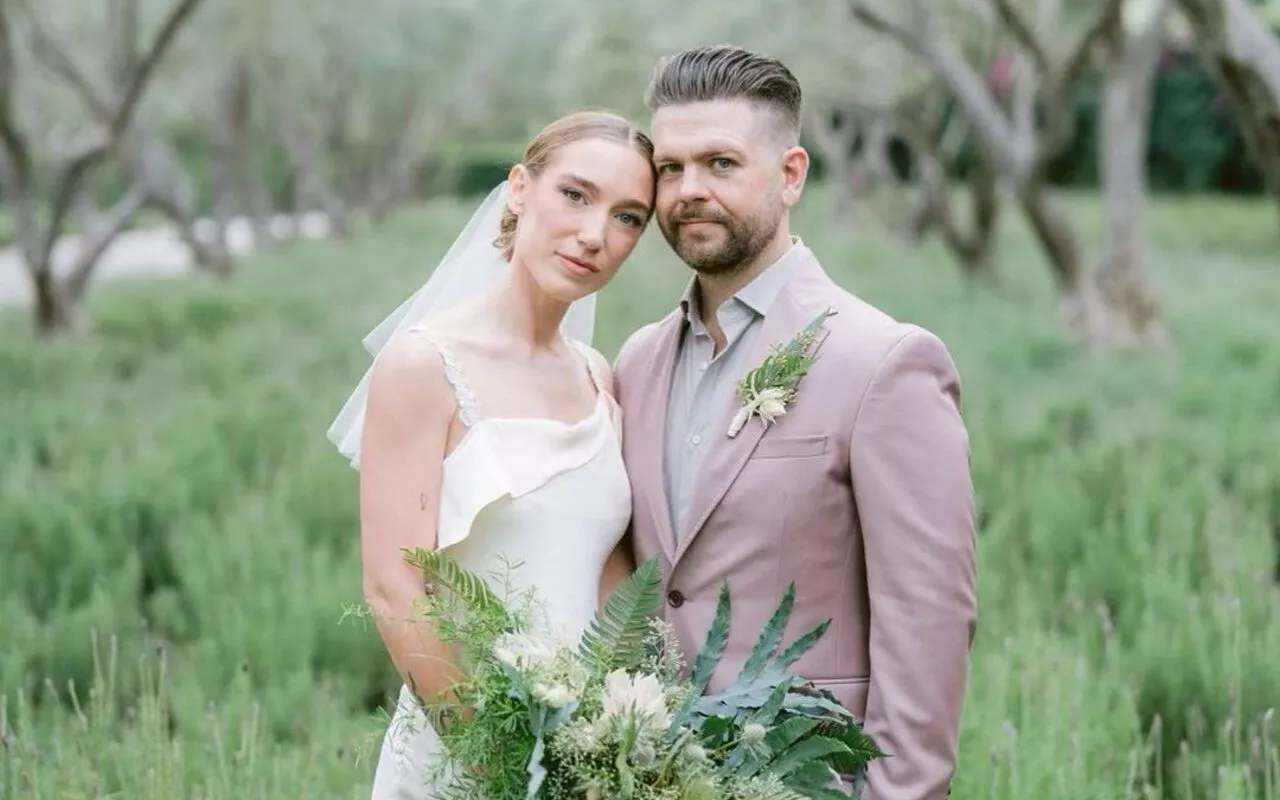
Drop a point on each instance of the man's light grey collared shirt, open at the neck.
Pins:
(705, 382)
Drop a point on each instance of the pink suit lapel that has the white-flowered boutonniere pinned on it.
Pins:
(728, 458)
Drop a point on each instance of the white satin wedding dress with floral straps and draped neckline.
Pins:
(541, 504)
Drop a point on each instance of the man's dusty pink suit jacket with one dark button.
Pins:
(861, 495)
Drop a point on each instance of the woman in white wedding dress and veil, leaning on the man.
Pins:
(487, 424)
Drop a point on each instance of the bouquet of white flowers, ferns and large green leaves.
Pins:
(610, 719)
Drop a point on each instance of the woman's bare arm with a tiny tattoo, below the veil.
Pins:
(408, 419)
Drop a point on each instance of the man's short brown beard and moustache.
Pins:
(743, 240)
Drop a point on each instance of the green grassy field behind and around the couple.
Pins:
(180, 540)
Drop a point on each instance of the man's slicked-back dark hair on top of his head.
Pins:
(726, 72)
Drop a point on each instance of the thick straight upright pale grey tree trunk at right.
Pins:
(1124, 285)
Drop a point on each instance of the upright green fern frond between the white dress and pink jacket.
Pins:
(616, 637)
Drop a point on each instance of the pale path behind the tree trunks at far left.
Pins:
(153, 253)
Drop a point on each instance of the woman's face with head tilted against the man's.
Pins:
(582, 216)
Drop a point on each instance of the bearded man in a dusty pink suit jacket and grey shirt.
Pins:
(858, 491)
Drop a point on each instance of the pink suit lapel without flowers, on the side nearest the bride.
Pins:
(652, 422)
